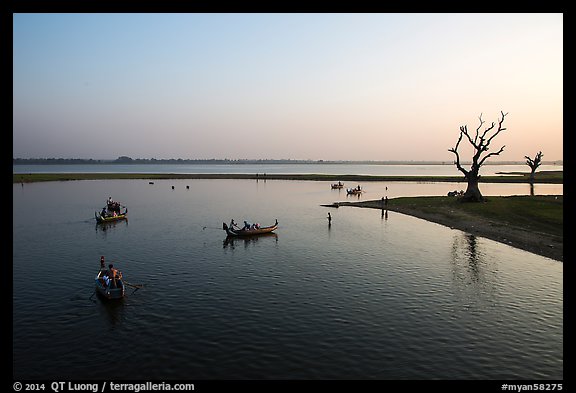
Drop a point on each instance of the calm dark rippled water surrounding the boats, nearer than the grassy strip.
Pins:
(376, 295)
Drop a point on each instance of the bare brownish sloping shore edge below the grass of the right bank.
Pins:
(544, 244)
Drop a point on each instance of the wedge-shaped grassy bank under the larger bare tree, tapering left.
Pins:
(532, 223)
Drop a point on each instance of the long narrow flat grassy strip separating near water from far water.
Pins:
(555, 177)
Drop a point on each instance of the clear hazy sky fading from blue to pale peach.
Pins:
(319, 86)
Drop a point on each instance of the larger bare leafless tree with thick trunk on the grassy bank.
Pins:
(480, 142)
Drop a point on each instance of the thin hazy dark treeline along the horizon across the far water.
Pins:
(128, 160)
